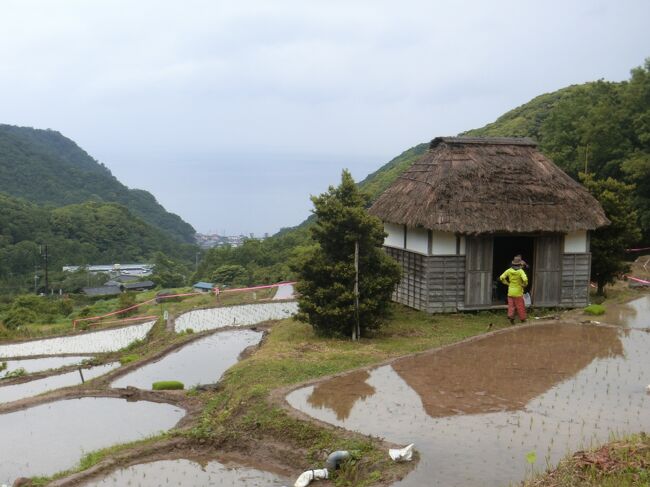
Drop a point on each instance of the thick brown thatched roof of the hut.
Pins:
(477, 185)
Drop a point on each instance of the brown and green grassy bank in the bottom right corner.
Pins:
(621, 463)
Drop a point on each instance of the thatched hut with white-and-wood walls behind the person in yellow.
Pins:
(455, 219)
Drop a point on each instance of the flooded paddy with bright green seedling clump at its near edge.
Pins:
(200, 362)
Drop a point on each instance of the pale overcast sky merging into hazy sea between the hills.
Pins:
(233, 112)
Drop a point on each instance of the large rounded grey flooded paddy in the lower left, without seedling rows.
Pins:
(52, 437)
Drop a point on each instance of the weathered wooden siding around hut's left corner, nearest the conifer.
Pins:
(429, 283)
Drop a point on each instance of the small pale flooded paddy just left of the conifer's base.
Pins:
(243, 315)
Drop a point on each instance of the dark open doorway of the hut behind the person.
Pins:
(505, 248)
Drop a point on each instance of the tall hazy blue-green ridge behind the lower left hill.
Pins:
(44, 167)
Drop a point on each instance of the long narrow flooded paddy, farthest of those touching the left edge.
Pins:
(91, 342)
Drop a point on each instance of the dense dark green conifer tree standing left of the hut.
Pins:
(327, 272)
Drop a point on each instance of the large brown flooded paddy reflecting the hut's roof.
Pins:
(474, 411)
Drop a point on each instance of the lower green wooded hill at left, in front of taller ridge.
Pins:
(85, 233)
